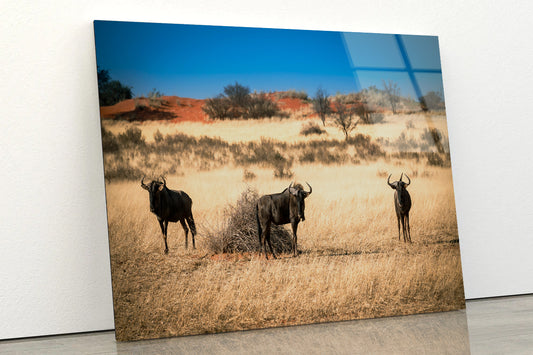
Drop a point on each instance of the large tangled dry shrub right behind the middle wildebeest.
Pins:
(239, 233)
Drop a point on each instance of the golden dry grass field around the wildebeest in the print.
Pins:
(351, 263)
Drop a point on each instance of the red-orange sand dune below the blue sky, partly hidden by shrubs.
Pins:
(174, 109)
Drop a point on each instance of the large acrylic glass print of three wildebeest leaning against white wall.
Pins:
(265, 177)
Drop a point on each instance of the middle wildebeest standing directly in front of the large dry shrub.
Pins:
(281, 208)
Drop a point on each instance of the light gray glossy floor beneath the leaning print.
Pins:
(488, 326)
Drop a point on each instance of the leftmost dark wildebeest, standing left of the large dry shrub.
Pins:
(170, 206)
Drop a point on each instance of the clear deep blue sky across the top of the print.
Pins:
(198, 61)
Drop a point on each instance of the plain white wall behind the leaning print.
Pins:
(54, 259)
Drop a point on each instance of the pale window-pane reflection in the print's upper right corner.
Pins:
(402, 72)
